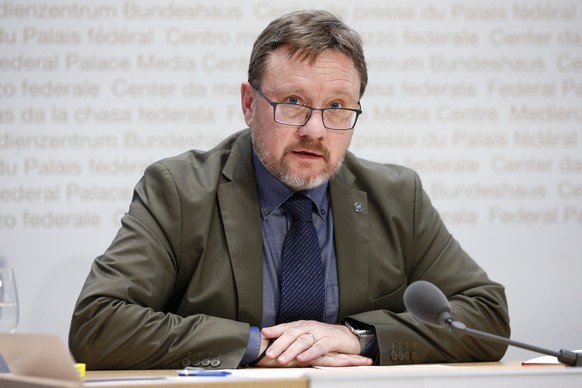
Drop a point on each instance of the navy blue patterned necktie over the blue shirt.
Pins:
(302, 281)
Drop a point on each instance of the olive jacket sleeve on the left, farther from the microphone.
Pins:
(130, 314)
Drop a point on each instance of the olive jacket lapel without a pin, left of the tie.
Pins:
(238, 199)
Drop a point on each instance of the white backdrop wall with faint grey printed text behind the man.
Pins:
(483, 99)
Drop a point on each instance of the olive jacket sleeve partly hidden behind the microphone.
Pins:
(428, 251)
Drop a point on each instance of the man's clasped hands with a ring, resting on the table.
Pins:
(311, 343)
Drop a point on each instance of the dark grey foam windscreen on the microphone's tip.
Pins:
(427, 302)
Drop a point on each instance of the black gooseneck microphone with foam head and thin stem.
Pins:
(428, 304)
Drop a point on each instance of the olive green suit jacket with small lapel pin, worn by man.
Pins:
(182, 280)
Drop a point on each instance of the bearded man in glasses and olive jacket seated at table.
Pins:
(200, 271)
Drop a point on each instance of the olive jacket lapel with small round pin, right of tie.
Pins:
(350, 218)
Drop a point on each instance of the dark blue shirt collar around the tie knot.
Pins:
(272, 192)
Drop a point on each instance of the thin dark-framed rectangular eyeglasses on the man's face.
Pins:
(338, 119)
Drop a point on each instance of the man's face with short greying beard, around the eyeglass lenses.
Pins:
(307, 156)
